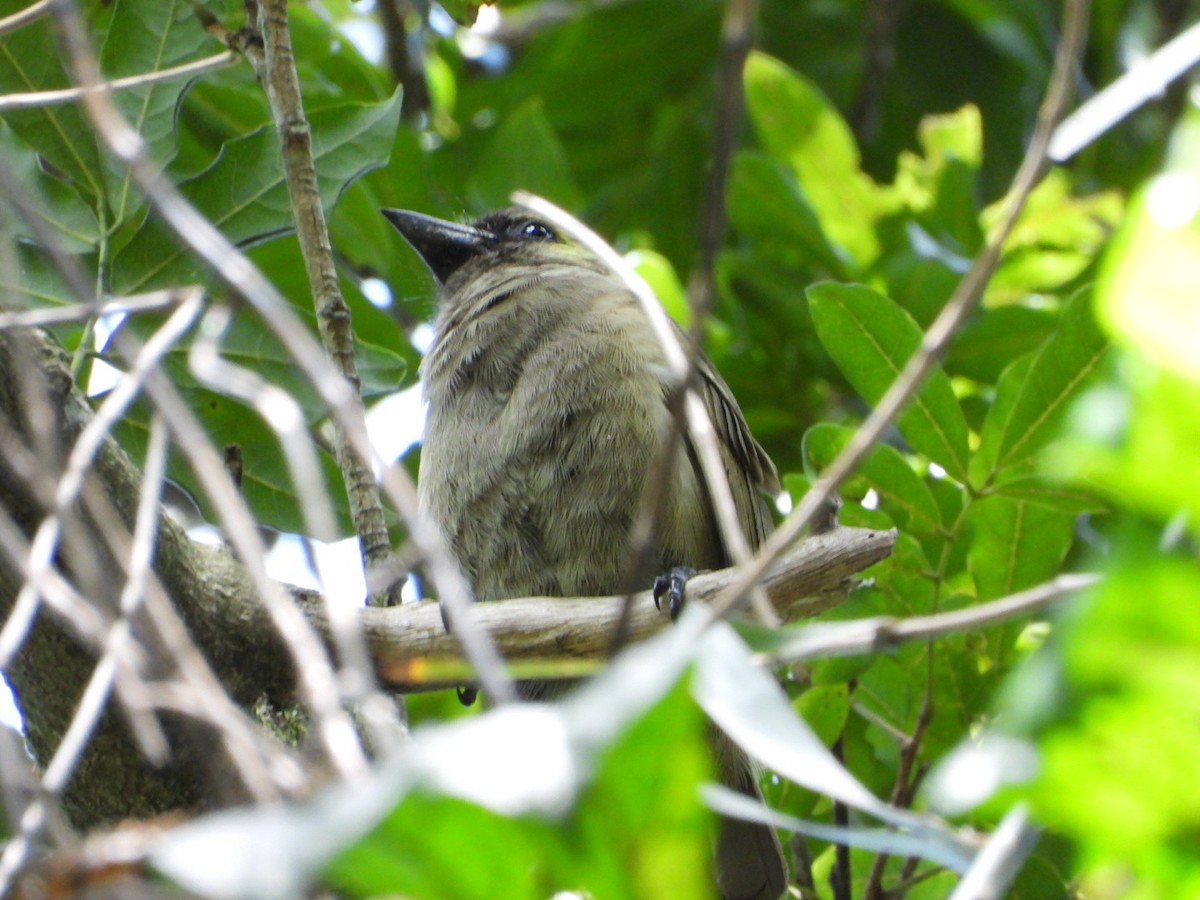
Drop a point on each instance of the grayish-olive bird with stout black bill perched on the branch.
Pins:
(548, 405)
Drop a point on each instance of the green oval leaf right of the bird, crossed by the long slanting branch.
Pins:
(871, 339)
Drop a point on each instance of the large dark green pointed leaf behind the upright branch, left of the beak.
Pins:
(244, 193)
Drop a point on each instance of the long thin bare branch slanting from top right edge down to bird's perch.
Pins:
(949, 321)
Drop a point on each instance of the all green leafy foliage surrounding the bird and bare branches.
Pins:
(1058, 434)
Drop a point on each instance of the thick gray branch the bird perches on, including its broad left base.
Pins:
(229, 625)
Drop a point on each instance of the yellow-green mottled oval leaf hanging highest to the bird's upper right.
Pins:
(796, 124)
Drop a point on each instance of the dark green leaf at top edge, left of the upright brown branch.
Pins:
(147, 37)
